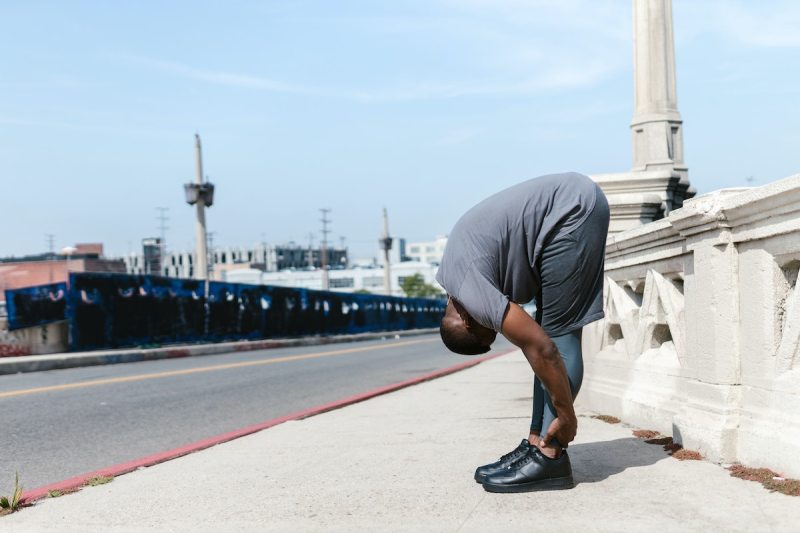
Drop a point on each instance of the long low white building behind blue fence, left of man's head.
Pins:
(345, 280)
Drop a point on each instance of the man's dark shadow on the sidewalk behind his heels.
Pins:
(596, 461)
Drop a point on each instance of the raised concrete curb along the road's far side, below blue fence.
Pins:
(38, 363)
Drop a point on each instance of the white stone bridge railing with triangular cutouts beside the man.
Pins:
(701, 338)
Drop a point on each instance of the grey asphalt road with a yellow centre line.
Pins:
(61, 423)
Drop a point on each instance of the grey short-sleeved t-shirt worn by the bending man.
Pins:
(492, 254)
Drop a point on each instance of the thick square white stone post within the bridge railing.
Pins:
(709, 419)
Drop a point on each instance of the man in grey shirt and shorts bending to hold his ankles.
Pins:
(543, 240)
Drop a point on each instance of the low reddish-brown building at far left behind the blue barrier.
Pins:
(41, 269)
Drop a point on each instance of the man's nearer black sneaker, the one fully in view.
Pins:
(535, 471)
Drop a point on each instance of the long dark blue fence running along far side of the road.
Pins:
(118, 310)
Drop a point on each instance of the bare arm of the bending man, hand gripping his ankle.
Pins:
(542, 355)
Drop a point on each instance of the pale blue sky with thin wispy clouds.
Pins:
(422, 106)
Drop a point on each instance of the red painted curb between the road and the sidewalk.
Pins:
(79, 481)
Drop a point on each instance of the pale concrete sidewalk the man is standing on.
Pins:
(404, 462)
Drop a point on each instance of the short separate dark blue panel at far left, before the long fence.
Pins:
(33, 306)
